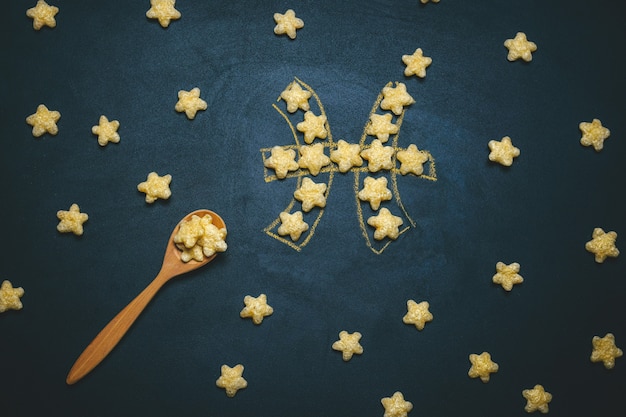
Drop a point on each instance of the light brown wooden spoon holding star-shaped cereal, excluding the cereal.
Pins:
(108, 337)
